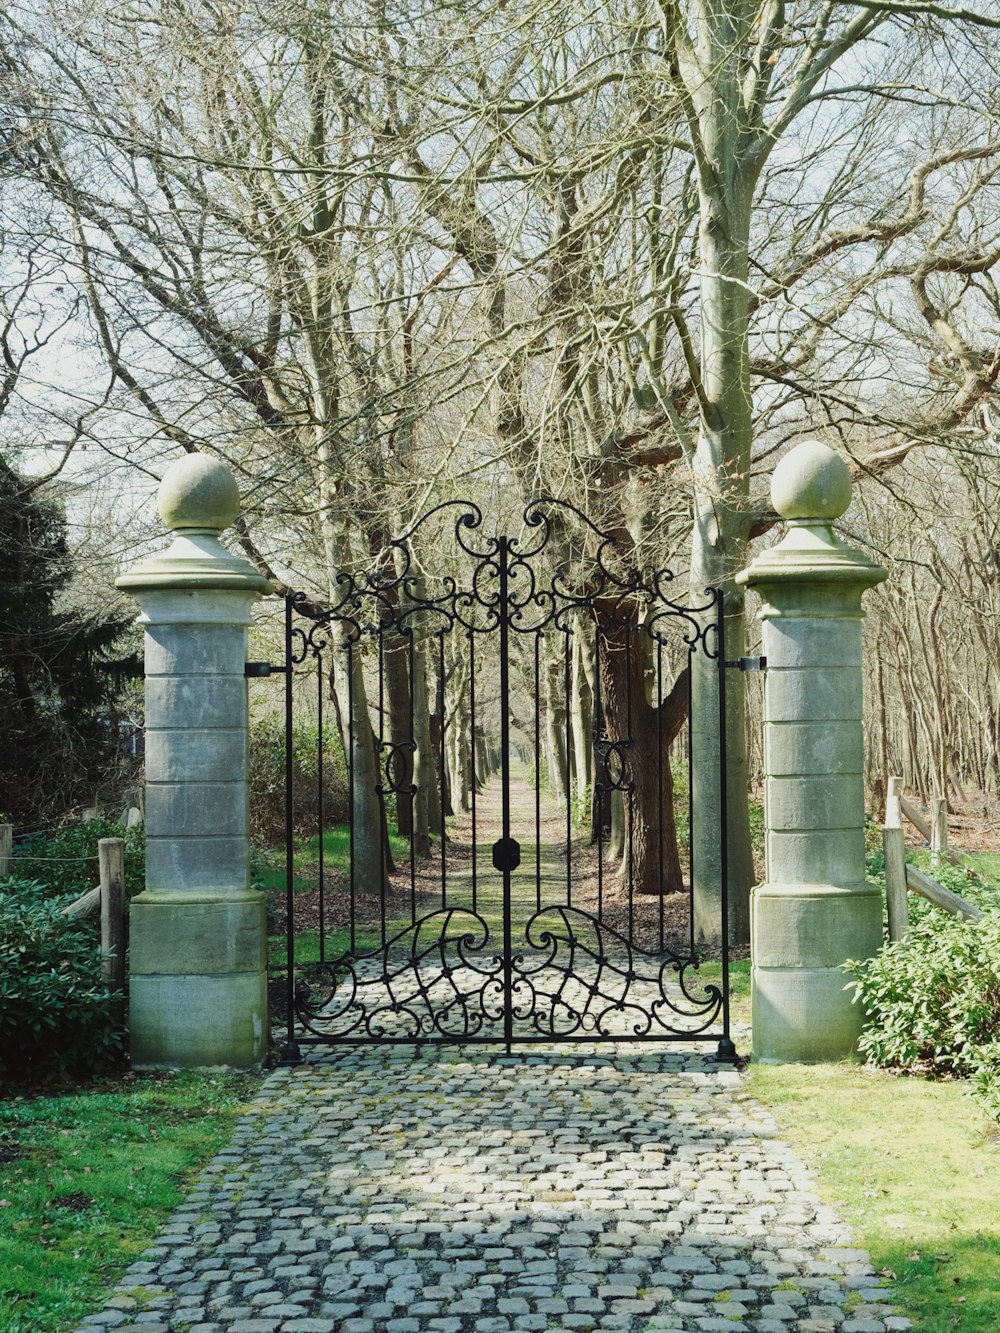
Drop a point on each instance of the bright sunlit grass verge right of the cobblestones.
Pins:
(913, 1167)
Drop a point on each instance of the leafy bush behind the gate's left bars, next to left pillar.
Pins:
(267, 780)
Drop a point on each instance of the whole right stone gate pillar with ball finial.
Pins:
(815, 908)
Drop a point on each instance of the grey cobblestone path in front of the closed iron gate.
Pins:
(402, 1191)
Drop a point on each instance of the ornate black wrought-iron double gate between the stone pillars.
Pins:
(514, 854)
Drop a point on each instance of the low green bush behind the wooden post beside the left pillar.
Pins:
(66, 862)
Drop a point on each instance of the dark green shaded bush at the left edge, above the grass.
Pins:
(55, 1010)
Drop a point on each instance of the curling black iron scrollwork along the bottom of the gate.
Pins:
(443, 980)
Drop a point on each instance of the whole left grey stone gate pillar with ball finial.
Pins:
(198, 958)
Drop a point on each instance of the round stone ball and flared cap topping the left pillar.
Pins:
(198, 501)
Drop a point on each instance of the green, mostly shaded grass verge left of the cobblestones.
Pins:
(87, 1180)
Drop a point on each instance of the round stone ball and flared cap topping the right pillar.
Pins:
(811, 490)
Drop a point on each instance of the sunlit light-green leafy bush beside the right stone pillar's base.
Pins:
(933, 1002)
